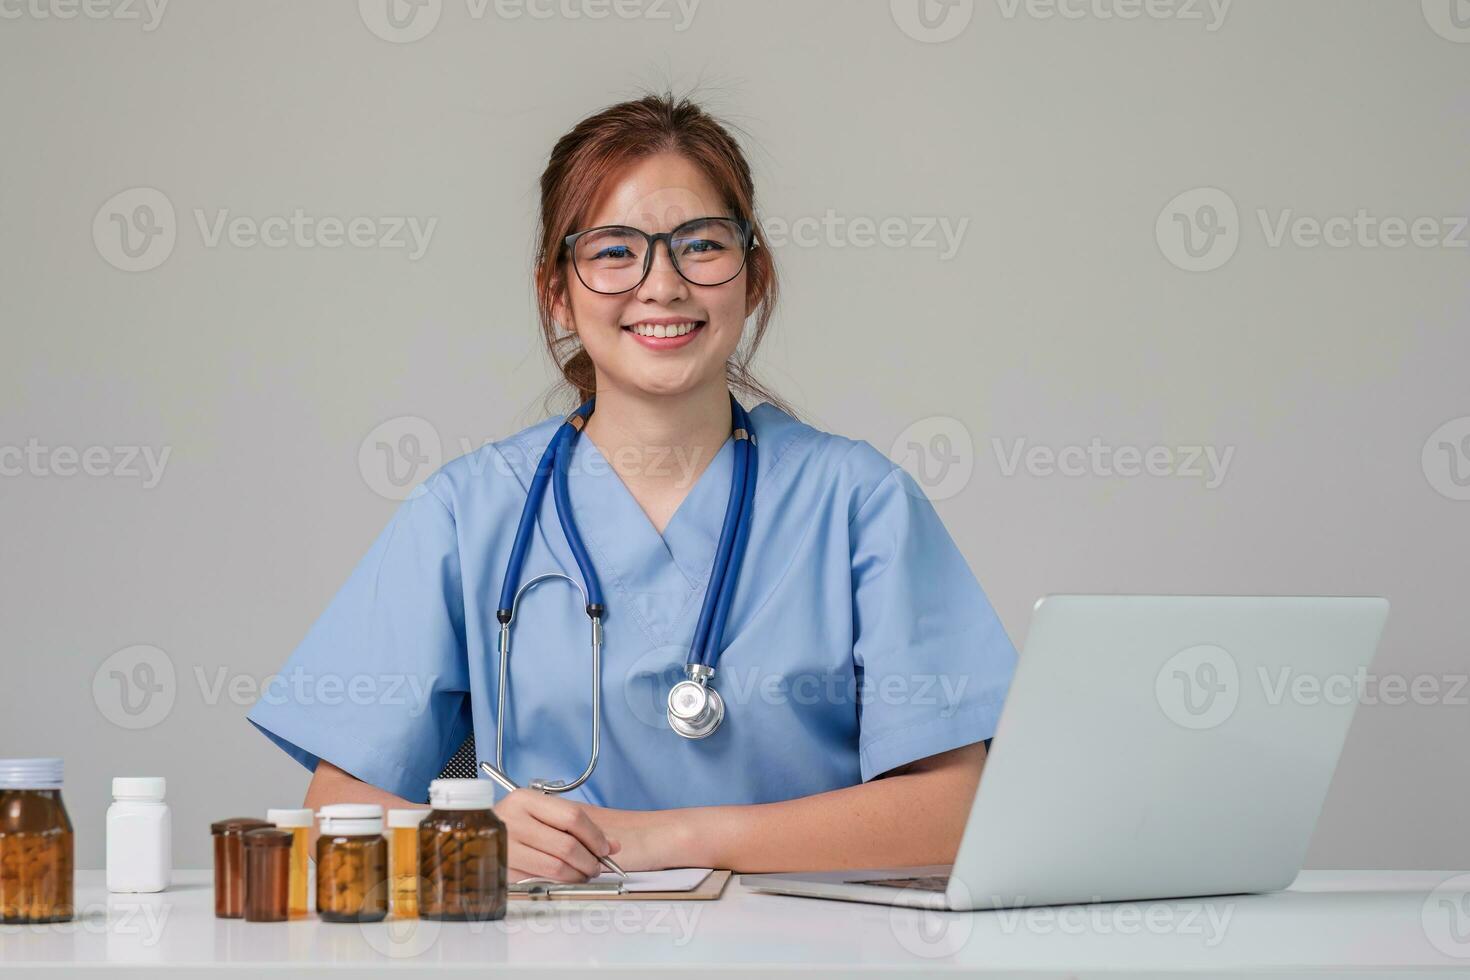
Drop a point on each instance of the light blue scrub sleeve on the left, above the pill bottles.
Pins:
(380, 685)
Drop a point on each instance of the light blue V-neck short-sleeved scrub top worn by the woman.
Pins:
(858, 640)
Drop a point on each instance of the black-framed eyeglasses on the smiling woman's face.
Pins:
(708, 252)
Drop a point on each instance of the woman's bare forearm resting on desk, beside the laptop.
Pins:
(911, 818)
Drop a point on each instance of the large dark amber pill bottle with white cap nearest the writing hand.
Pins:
(462, 853)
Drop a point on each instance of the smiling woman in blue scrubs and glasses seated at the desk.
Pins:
(861, 665)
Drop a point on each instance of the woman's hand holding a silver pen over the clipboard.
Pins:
(552, 838)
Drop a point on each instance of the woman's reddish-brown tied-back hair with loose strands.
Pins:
(581, 164)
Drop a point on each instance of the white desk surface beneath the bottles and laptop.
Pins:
(1384, 922)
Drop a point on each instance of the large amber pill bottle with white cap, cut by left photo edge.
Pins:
(36, 844)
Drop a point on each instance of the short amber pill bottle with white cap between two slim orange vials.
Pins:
(352, 865)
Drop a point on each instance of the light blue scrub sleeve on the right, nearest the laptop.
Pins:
(933, 660)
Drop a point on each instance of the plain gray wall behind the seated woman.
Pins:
(1061, 320)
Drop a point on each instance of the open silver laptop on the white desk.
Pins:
(1152, 747)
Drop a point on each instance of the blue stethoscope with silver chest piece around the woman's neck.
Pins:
(696, 709)
